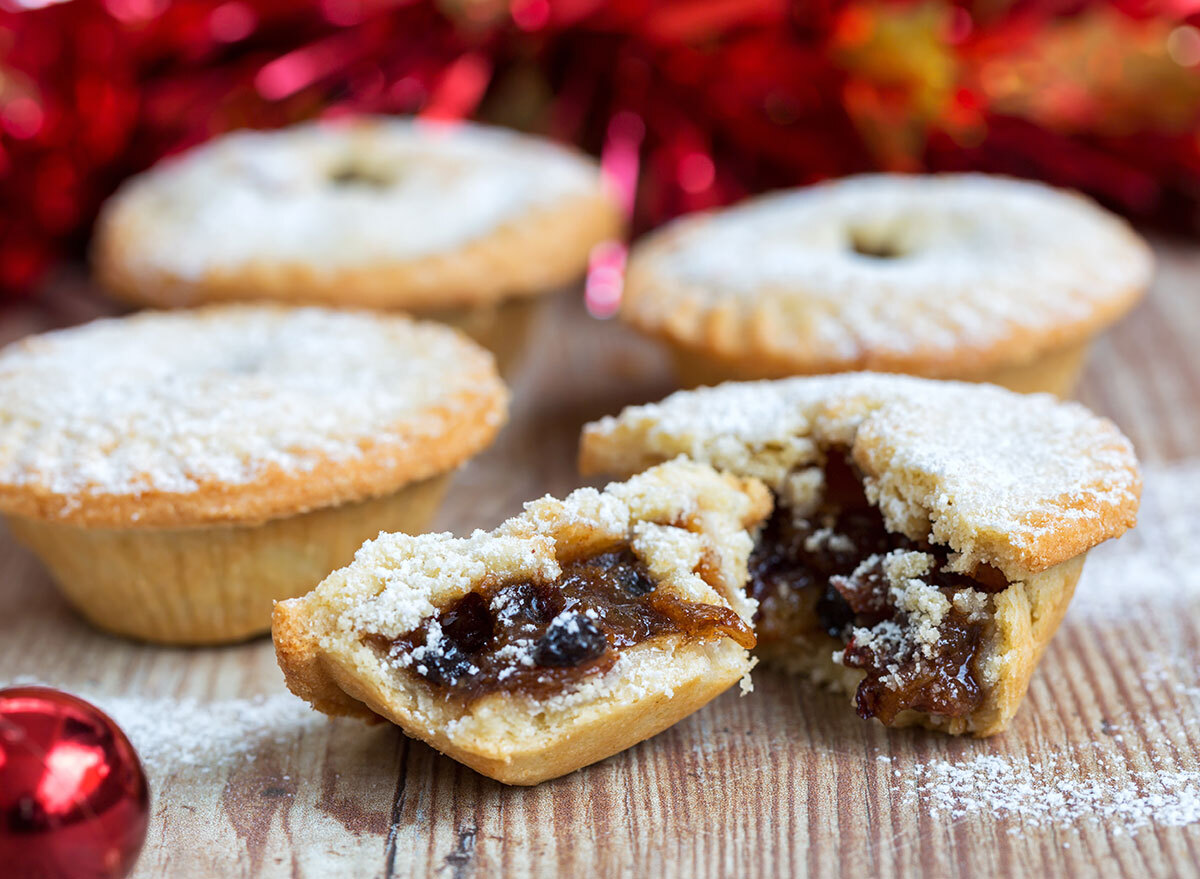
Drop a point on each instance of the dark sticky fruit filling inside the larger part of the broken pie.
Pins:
(914, 629)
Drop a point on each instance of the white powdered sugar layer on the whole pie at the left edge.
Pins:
(172, 402)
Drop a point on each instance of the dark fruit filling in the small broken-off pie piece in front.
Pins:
(541, 639)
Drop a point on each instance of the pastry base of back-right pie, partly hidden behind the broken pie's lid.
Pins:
(1055, 372)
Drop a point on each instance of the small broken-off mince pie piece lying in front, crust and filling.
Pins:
(572, 632)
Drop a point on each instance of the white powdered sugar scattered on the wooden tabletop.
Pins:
(1131, 776)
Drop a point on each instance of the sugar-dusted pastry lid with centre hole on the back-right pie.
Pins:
(969, 272)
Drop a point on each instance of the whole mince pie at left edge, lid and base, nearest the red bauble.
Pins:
(179, 471)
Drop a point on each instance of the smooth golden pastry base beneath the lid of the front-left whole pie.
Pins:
(213, 584)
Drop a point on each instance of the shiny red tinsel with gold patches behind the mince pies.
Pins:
(733, 97)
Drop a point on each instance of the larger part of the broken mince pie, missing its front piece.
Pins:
(927, 536)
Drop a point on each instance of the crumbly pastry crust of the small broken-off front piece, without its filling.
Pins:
(683, 521)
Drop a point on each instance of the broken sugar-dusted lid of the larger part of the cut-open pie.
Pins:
(1018, 482)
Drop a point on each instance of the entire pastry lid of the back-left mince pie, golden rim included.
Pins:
(375, 212)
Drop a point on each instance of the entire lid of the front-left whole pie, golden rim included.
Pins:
(236, 414)
